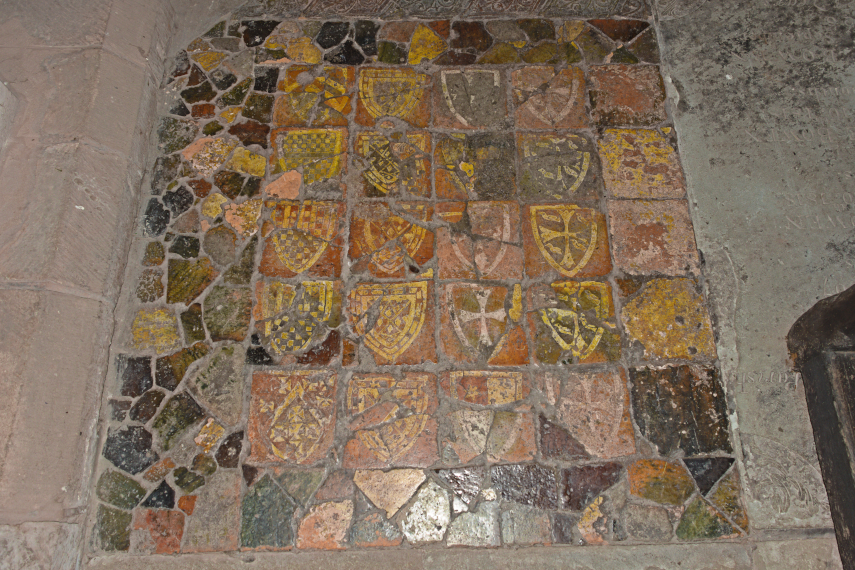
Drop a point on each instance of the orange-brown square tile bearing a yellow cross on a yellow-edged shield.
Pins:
(564, 240)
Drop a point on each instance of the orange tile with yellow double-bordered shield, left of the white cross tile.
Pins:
(402, 314)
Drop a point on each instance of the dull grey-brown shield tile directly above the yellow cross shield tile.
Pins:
(558, 166)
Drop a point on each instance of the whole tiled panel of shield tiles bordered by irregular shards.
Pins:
(403, 283)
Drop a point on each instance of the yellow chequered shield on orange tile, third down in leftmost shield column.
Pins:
(308, 228)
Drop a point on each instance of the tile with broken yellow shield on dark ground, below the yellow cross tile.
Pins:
(573, 322)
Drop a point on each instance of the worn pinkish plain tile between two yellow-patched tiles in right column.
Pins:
(653, 237)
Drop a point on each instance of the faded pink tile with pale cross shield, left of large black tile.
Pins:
(594, 409)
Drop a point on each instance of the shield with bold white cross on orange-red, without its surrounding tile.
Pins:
(477, 313)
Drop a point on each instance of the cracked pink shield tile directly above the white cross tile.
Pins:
(480, 241)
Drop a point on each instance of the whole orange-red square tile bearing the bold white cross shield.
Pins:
(482, 324)
